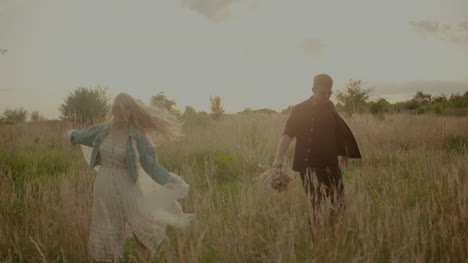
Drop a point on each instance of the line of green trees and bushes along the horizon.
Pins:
(86, 105)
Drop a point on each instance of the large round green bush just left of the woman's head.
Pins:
(85, 105)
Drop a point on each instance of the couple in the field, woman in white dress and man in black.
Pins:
(133, 191)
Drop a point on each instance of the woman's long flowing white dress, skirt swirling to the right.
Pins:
(119, 206)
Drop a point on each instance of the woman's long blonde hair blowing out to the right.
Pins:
(156, 123)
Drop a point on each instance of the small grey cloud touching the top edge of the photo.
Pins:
(214, 10)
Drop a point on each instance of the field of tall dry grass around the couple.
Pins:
(407, 200)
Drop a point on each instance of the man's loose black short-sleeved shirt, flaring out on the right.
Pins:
(321, 135)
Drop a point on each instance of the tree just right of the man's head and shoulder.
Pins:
(354, 97)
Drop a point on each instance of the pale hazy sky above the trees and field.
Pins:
(251, 53)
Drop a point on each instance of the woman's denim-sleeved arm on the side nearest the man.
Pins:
(149, 161)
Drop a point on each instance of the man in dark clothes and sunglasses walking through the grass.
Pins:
(321, 136)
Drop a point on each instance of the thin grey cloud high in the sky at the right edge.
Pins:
(457, 34)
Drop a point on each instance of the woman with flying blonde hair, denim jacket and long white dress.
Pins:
(124, 198)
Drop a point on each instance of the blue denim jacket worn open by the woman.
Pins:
(95, 135)
